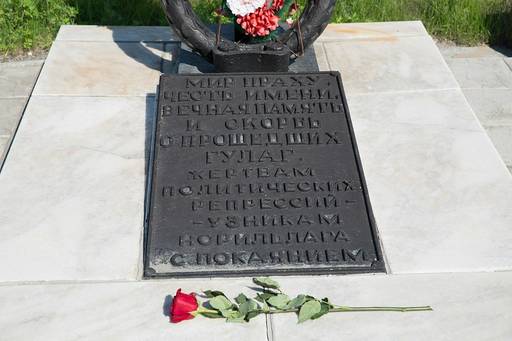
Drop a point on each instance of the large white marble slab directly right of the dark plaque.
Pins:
(439, 190)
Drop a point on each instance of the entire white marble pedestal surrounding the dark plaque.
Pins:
(73, 186)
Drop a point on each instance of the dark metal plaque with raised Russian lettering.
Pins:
(257, 174)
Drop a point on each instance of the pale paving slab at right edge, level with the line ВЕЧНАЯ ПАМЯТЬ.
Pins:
(492, 106)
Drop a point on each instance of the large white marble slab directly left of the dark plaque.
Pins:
(72, 190)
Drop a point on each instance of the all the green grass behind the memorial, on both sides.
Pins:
(32, 24)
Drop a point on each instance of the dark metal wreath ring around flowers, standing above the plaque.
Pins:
(229, 56)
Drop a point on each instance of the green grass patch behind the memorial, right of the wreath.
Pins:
(462, 21)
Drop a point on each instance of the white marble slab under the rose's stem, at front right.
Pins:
(466, 307)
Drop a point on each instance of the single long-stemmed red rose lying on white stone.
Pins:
(269, 300)
